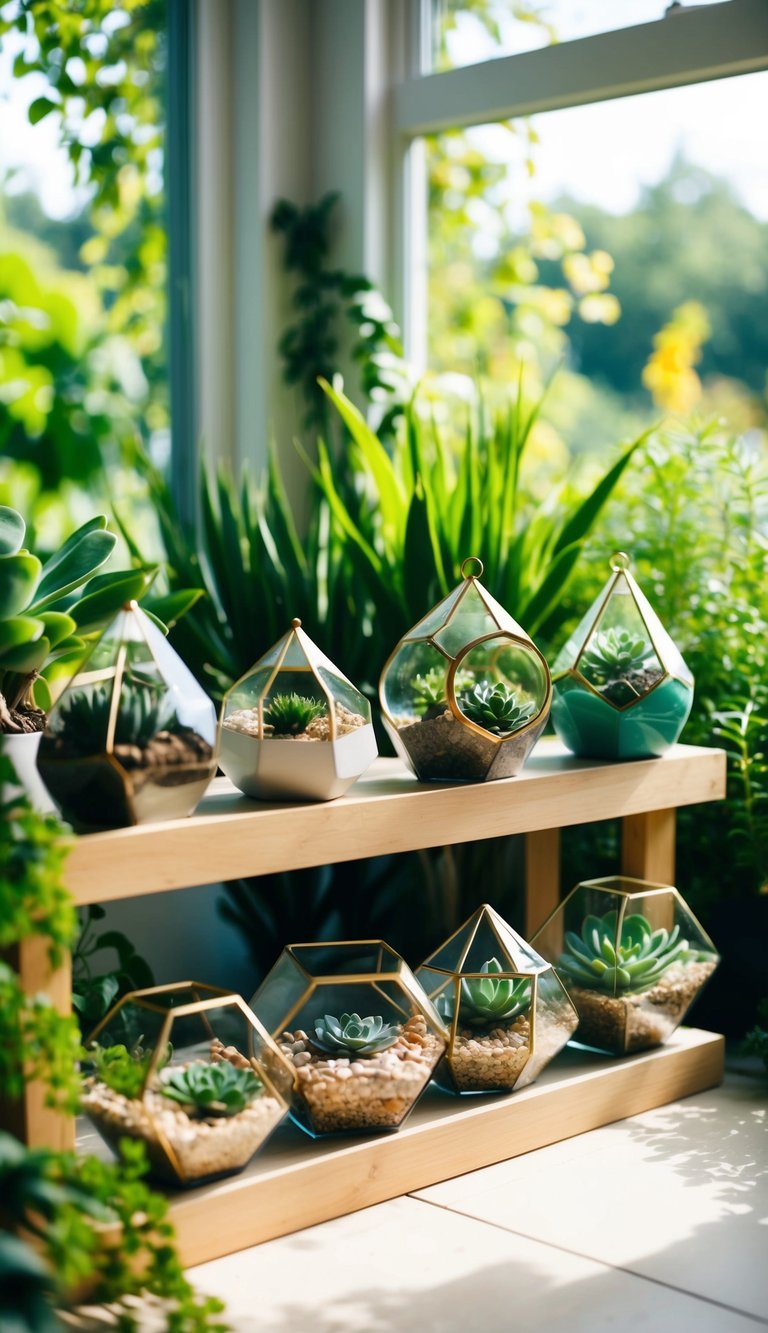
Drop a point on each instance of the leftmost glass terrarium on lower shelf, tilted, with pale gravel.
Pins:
(190, 1071)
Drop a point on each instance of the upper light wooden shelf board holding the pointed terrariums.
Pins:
(387, 811)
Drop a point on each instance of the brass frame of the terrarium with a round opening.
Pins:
(503, 622)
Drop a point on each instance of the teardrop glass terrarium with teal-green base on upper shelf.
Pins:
(621, 687)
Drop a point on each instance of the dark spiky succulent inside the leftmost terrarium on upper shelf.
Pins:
(145, 710)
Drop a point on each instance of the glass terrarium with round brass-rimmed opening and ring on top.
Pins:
(466, 694)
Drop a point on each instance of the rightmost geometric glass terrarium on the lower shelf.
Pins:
(633, 956)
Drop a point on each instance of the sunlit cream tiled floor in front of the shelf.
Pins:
(650, 1226)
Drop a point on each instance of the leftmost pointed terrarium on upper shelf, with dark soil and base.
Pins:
(133, 738)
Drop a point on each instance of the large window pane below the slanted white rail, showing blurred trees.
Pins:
(627, 241)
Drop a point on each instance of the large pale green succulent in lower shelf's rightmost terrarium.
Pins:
(595, 959)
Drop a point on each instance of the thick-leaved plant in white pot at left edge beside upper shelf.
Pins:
(49, 613)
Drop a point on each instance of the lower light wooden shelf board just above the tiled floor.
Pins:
(298, 1183)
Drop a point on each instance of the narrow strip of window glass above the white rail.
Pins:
(481, 30)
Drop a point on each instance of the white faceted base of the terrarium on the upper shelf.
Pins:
(285, 770)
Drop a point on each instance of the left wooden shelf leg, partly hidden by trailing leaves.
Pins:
(30, 1119)
